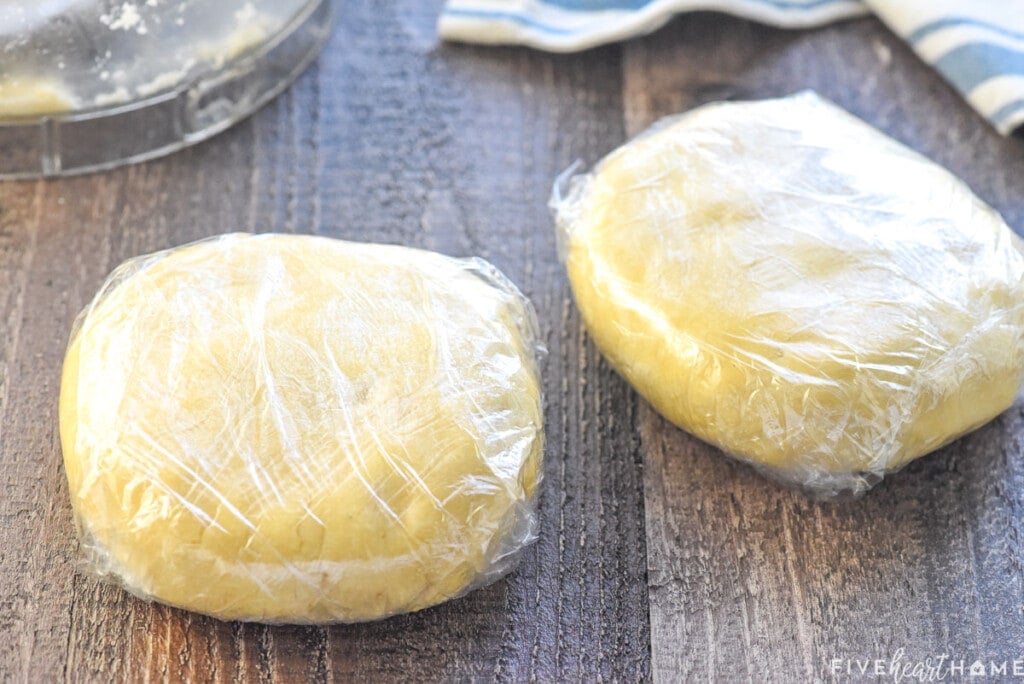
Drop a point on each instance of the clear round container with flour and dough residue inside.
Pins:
(88, 85)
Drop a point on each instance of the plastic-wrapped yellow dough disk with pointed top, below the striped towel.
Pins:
(787, 283)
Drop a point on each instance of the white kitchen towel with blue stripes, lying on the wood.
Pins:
(977, 46)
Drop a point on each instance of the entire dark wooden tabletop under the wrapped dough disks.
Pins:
(658, 558)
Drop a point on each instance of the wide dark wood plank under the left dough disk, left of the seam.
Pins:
(394, 139)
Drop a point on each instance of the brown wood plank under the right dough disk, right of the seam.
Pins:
(750, 581)
